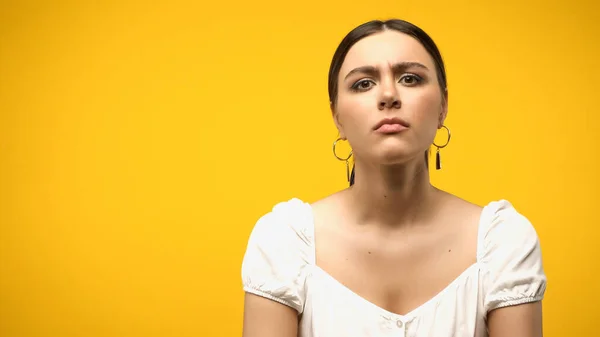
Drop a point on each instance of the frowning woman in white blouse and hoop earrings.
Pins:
(392, 255)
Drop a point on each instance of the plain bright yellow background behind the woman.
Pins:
(140, 142)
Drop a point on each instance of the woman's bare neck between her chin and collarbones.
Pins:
(392, 196)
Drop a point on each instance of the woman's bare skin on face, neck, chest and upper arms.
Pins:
(392, 216)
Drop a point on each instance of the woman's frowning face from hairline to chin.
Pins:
(389, 75)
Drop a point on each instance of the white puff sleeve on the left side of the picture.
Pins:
(278, 253)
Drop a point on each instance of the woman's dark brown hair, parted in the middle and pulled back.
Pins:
(376, 26)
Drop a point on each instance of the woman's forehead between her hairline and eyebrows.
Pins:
(385, 48)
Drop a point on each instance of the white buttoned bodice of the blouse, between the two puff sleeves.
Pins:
(335, 311)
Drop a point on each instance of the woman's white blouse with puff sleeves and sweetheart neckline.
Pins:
(279, 264)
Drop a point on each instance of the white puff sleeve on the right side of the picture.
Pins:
(512, 258)
